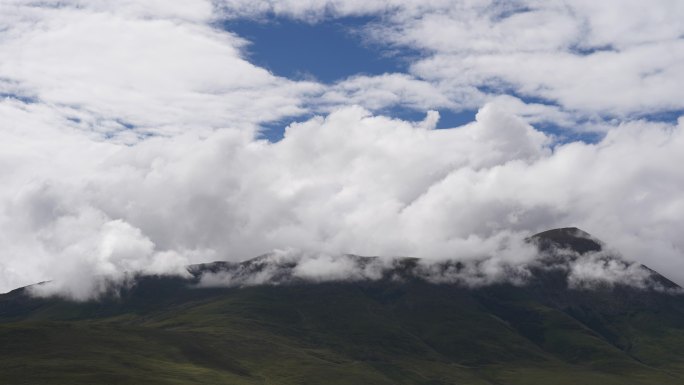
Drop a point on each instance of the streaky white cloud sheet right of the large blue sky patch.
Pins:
(570, 54)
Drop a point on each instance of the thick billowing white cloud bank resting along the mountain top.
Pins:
(350, 182)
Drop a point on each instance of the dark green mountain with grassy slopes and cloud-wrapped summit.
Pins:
(557, 324)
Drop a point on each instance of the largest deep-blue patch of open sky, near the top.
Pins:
(328, 52)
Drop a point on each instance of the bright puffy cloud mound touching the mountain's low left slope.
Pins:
(91, 256)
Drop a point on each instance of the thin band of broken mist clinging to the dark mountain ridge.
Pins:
(518, 266)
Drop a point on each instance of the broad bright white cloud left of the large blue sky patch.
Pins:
(119, 71)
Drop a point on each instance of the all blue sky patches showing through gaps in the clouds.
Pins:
(332, 51)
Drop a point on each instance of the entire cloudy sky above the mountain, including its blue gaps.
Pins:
(142, 136)
